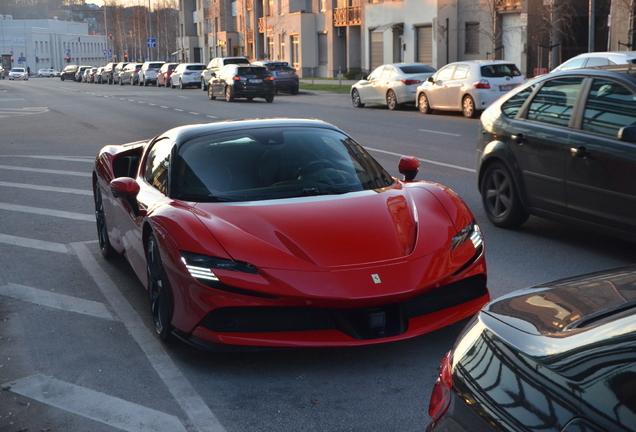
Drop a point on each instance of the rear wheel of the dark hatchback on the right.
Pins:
(500, 197)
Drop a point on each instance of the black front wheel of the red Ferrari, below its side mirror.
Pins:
(161, 303)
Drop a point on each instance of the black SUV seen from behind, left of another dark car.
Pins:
(236, 81)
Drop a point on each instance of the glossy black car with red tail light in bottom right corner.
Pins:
(558, 357)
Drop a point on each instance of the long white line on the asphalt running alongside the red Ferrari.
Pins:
(185, 395)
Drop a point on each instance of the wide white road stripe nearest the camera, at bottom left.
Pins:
(95, 405)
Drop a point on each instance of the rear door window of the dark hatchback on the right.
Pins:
(554, 101)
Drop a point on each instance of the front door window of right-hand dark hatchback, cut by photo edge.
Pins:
(609, 107)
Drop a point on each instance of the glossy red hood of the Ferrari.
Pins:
(330, 231)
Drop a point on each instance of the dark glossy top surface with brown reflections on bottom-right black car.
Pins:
(571, 306)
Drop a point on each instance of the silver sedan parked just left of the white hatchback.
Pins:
(392, 85)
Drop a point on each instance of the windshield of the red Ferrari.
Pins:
(273, 163)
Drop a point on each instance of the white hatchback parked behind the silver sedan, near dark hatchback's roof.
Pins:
(468, 86)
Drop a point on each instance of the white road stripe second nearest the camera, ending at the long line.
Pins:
(56, 300)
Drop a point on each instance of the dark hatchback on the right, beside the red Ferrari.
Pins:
(563, 147)
